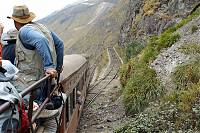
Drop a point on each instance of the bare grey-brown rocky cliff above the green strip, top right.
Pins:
(148, 17)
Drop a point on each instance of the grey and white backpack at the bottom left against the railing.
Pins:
(9, 120)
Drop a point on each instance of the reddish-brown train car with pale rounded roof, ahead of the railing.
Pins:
(75, 77)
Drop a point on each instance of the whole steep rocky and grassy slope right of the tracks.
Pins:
(161, 75)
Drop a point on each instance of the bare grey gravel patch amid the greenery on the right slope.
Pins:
(172, 57)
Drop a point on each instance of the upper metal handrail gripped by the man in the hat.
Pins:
(31, 88)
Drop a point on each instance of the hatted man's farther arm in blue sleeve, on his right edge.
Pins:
(59, 51)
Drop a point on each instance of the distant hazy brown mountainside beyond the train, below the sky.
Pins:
(85, 26)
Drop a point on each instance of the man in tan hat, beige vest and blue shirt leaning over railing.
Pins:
(38, 50)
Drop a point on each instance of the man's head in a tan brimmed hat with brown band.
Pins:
(21, 16)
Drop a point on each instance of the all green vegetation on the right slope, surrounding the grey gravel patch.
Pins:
(177, 111)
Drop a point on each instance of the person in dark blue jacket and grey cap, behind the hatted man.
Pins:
(9, 43)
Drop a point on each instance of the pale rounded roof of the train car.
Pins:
(71, 63)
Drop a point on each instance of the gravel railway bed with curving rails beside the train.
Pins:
(98, 105)
